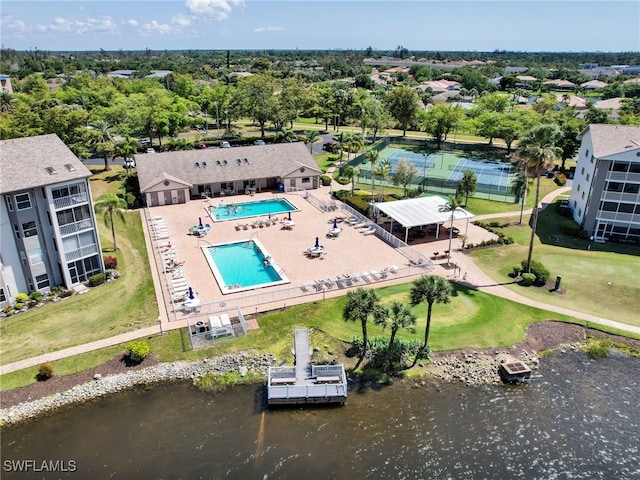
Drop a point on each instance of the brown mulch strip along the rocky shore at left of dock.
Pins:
(118, 364)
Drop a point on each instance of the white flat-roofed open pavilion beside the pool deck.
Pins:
(417, 212)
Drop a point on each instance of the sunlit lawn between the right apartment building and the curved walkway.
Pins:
(601, 280)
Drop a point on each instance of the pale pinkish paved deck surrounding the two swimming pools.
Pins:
(350, 253)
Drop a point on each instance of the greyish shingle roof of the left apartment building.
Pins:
(23, 163)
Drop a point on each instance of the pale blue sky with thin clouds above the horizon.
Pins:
(560, 25)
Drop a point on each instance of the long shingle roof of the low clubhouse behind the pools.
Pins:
(266, 161)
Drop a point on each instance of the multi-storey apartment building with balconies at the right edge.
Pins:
(605, 197)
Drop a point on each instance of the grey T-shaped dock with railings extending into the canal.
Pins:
(304, 382)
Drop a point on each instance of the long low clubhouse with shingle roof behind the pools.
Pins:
(176, 177)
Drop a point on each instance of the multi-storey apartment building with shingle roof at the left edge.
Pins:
(48, 232)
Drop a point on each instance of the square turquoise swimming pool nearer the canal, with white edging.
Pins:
(243, 265)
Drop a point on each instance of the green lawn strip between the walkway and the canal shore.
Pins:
(472, 319)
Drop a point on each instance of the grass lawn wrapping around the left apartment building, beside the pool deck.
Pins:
(83, 318)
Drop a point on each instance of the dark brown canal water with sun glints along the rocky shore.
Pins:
(577, 419)
